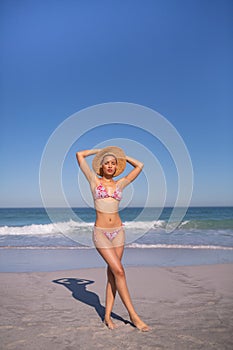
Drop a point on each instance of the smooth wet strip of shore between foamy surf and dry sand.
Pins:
(46, 260)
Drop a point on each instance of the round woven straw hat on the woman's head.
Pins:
(110, 150)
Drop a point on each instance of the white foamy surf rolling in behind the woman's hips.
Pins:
(139, 234)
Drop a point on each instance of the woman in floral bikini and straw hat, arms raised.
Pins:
(108, 233)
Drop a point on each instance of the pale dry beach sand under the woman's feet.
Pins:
(188, 307)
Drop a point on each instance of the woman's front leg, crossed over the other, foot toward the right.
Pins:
(114, 263)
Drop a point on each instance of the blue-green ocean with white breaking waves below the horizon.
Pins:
(201, 228)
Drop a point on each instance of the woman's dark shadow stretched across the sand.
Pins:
(78, 288)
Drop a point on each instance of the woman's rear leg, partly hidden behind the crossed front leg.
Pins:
(111, 291)
